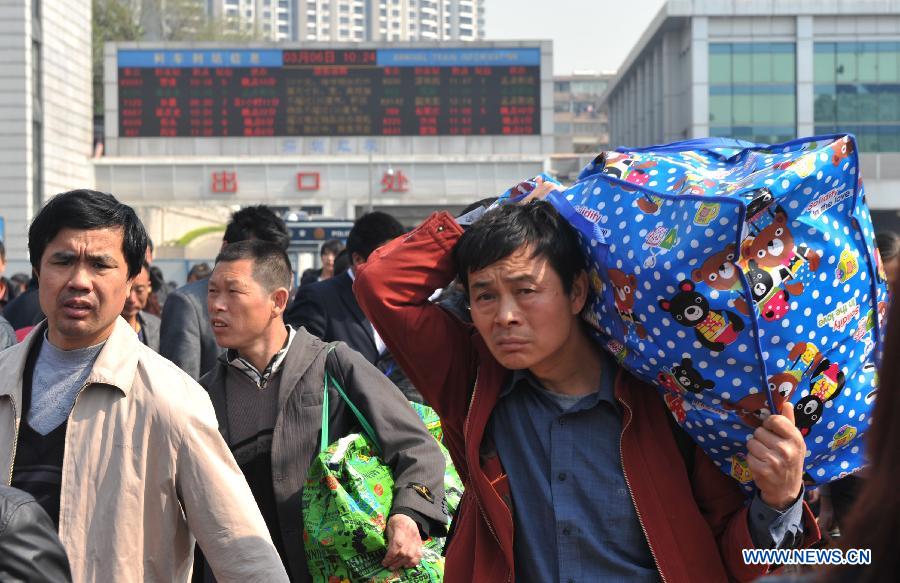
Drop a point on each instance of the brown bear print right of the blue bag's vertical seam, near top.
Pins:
(773, 250)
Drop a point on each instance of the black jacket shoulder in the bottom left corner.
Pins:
(30, 549)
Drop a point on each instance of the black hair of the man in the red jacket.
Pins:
(502, 231)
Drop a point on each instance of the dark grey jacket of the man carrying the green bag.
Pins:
(407, 447)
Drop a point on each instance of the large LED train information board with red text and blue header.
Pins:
(301, 92)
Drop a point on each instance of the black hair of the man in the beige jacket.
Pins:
(88, 210)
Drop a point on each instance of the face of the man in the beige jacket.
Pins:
(83, 285)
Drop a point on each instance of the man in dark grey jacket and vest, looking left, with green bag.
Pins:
(273, 372)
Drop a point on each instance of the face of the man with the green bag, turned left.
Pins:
(239, 308)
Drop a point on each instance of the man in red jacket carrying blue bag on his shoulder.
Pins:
(571, 466)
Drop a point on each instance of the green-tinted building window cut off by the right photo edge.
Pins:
(857, 90)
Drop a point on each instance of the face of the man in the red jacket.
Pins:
(522, 311)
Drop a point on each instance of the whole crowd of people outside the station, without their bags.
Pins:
(138, 423)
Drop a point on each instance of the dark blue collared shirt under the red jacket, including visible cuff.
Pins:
(573, 513)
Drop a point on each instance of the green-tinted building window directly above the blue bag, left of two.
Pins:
(752, 91)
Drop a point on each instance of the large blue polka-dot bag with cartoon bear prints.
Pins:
(739, 279)
